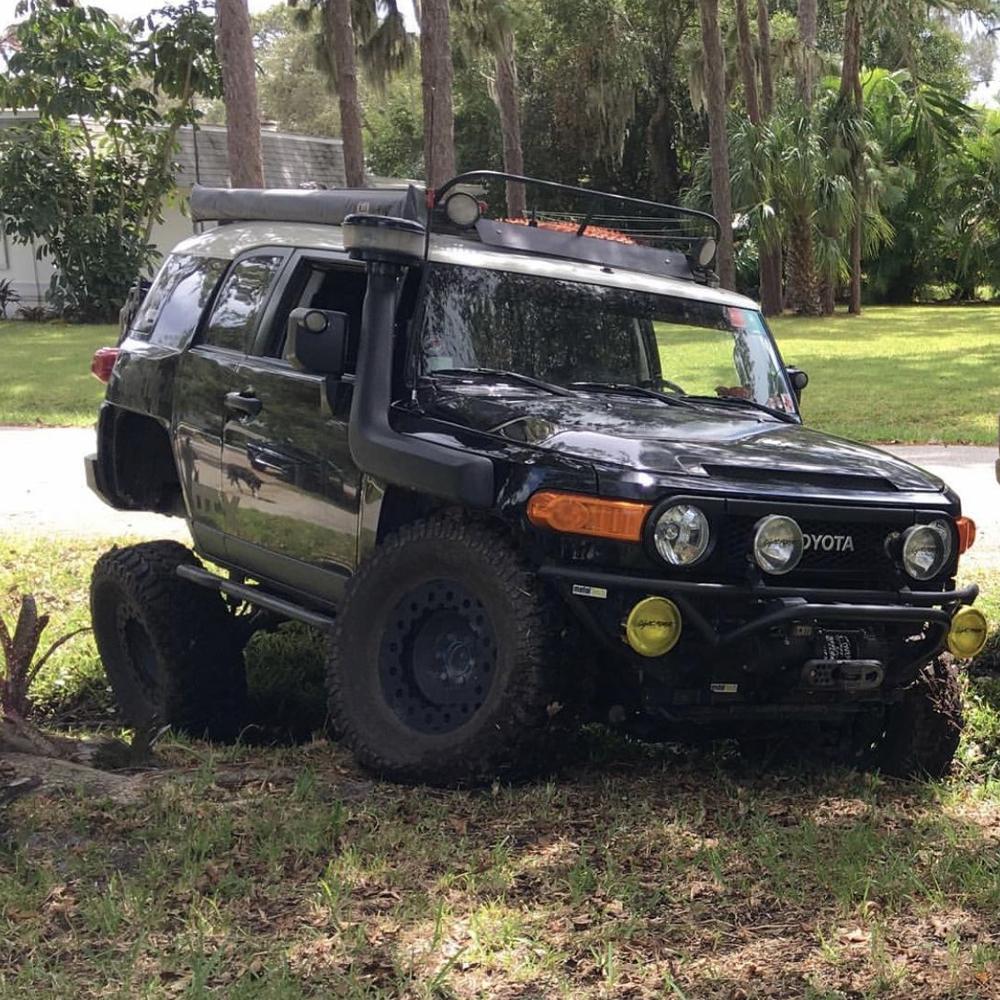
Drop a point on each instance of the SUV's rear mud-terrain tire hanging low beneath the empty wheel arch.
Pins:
(170, 648)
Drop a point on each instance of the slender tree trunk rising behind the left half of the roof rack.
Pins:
(487, 25)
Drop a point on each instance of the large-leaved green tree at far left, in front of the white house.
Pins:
(85, 181)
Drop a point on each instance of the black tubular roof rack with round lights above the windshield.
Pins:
(580, 224)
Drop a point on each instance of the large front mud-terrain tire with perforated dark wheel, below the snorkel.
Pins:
(443, 663)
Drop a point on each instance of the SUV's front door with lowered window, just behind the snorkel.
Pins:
(291, 488)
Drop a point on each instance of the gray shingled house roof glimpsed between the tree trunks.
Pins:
(289, 160)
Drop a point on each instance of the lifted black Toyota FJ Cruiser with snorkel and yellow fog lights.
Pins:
(523, 471)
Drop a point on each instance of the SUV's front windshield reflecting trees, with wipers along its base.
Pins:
(568, 332)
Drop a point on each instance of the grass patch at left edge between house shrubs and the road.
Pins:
(45, 373)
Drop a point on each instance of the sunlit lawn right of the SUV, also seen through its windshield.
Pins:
(910, 374)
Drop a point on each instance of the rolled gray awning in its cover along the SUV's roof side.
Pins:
(328, 208)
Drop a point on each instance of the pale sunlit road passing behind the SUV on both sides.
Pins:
(43, 492)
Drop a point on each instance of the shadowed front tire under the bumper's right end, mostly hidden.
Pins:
(920, 733)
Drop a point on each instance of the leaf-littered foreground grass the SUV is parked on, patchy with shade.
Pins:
(628, 871)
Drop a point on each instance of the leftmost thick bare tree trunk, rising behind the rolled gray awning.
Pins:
(234, 43)
